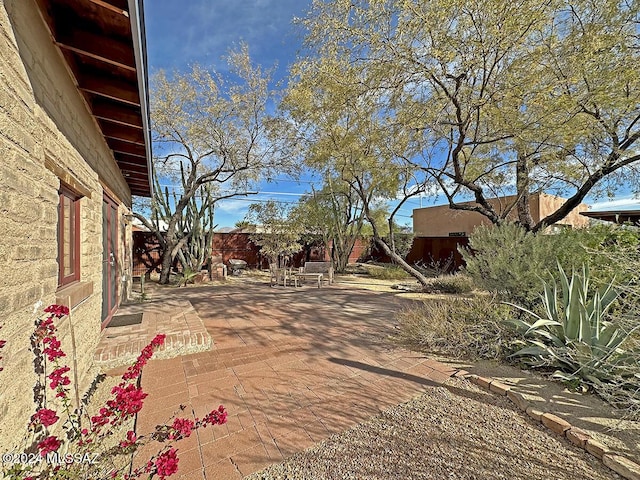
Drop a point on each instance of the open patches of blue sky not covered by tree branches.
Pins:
(180, 33)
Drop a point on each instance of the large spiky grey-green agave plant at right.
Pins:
(575, 337)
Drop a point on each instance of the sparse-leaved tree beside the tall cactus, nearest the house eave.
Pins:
(215, 131)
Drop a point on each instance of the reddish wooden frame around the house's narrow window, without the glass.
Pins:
(74, 198)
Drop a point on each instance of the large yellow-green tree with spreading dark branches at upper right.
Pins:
(508, 96)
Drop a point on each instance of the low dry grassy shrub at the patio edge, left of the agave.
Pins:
(472, 328)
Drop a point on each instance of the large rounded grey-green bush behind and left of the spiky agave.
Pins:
(510, 261)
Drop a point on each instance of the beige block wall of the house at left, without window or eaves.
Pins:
(44, 123)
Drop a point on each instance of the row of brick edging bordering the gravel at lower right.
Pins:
(619, 464)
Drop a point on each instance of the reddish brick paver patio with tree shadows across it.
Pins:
(292, 367)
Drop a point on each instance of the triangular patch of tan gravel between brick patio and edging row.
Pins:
(456, 432)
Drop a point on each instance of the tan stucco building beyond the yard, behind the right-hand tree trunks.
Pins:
(440, 221)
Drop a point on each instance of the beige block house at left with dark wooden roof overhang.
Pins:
(75, 147)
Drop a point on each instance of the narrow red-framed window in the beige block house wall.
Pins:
(68, 237)
